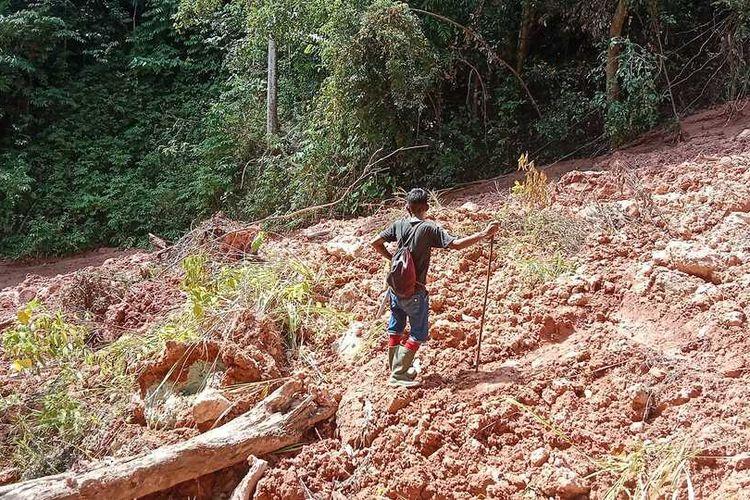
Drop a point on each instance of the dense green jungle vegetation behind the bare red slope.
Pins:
(122, 117)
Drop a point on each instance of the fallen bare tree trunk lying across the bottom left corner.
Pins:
(279, 420)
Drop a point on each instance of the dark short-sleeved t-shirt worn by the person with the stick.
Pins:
(428, 236)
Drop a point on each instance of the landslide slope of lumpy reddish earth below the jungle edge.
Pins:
(615, 351)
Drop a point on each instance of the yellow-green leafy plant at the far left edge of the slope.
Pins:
(39, 337)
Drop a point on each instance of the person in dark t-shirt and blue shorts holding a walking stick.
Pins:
(419, 236)
